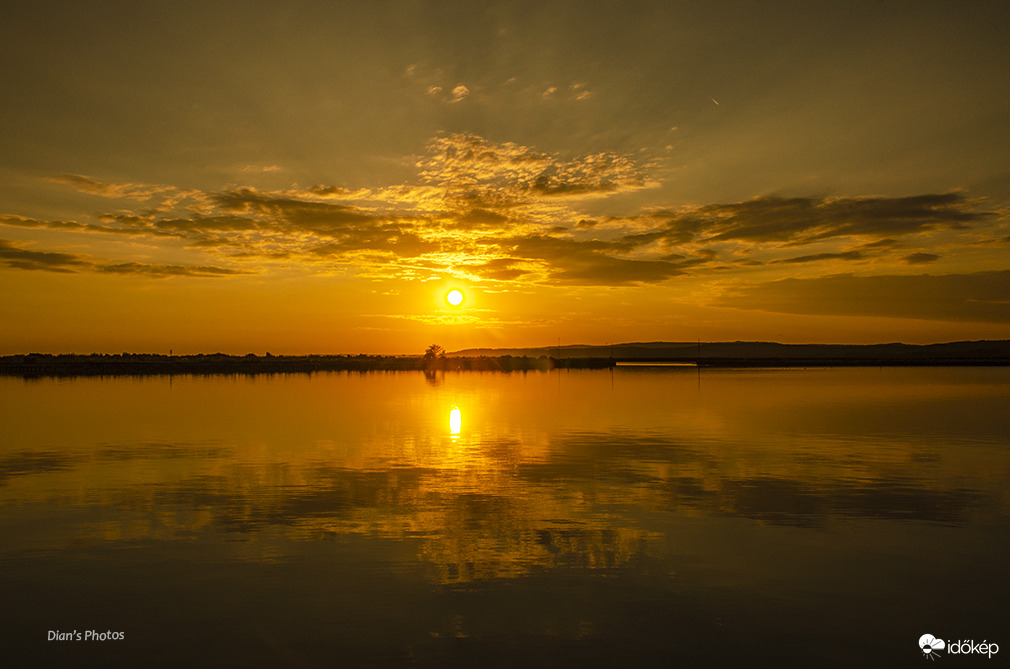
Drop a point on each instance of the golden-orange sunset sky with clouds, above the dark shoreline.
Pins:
(315, 177)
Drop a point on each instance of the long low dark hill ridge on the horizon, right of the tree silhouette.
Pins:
(984, 352)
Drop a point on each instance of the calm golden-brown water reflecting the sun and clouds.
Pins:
(633, 518)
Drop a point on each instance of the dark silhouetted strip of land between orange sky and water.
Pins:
(701, 355)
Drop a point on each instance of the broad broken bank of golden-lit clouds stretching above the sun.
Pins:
(504, 213)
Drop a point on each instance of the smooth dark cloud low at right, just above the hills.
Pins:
(979, 298)
